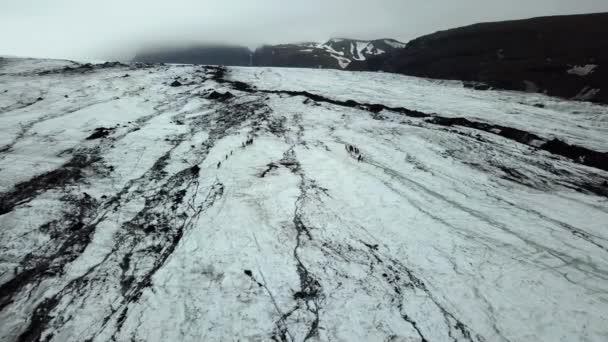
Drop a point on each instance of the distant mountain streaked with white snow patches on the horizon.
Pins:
(336, 53)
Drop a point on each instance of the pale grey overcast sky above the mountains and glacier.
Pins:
(101, 29)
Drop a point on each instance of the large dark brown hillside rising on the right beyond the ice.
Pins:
(564, 56)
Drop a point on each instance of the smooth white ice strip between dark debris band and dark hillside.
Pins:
(582, 123)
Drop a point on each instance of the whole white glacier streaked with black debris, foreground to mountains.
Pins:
(131, 210)
